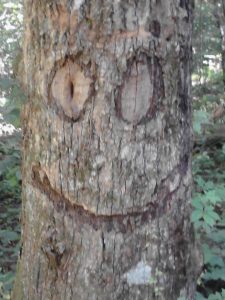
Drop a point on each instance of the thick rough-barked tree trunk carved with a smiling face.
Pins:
(107, 145)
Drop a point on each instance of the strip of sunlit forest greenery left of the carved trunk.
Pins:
(11, 99)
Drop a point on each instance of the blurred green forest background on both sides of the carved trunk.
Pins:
(208, 81)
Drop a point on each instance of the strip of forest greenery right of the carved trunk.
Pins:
(208, 213)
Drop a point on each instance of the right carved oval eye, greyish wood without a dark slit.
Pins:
(143, 87)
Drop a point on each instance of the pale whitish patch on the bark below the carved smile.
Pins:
(140, 274)
